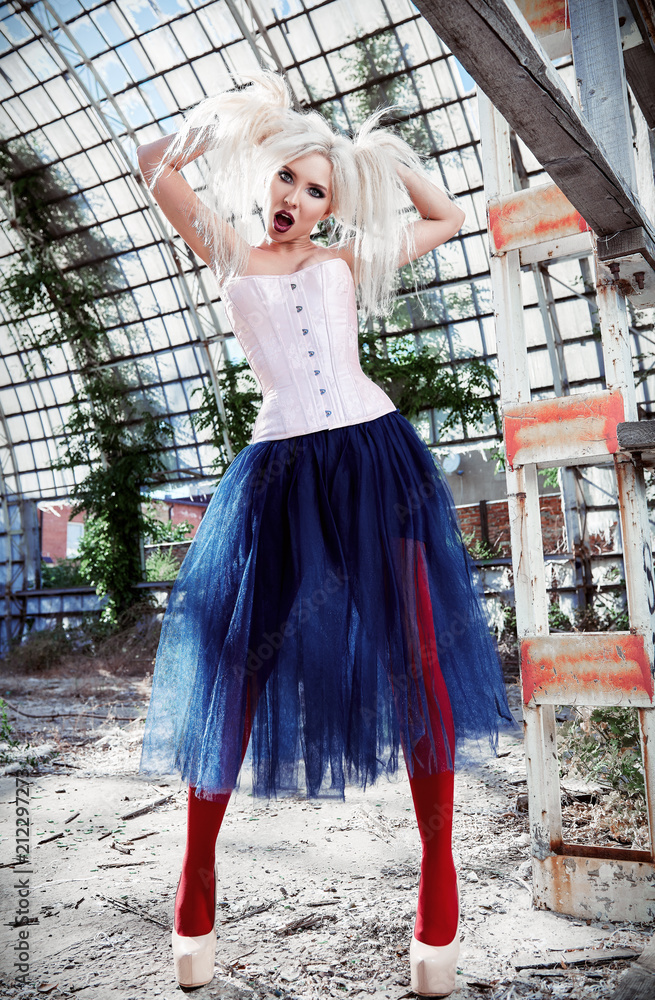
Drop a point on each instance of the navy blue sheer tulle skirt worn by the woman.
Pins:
(327, 611)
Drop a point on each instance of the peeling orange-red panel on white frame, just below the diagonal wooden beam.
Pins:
(534, 215)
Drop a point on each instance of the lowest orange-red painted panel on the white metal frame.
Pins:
(607, 668)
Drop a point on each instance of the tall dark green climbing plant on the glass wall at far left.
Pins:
(117, 440)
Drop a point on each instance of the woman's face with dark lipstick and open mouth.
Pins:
(300, 196)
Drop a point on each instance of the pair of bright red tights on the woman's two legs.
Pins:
(432, 794)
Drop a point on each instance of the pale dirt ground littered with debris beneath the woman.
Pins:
(315, 898)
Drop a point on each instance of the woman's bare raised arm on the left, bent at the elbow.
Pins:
(176, 198)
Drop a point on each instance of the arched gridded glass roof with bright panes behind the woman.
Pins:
(82, 84)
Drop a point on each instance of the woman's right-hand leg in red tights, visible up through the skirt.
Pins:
(432, 793)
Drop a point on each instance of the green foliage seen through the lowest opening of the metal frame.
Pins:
(604, 746)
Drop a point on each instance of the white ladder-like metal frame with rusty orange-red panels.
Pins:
(590, 669)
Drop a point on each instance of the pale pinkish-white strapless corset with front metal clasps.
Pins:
(299, 334)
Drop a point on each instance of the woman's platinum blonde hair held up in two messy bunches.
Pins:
(246, 135)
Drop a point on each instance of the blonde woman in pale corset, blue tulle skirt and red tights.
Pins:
(326, 608)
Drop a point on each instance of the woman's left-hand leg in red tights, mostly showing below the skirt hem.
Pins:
(194, 902)
